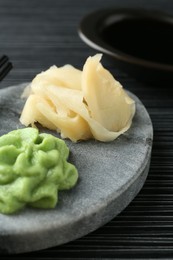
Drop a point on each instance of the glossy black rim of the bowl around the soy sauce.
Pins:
(89, 34)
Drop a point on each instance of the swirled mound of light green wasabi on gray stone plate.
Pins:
(33, 168)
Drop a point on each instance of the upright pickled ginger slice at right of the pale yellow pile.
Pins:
(107, 101)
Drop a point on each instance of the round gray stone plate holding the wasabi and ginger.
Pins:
(110, 176)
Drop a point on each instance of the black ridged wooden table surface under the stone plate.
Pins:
(36, 34)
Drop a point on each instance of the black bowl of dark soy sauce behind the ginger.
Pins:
(140, 42)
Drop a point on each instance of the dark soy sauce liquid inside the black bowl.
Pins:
(146, 39)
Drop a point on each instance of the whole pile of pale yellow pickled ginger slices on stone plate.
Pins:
(80, 105)
